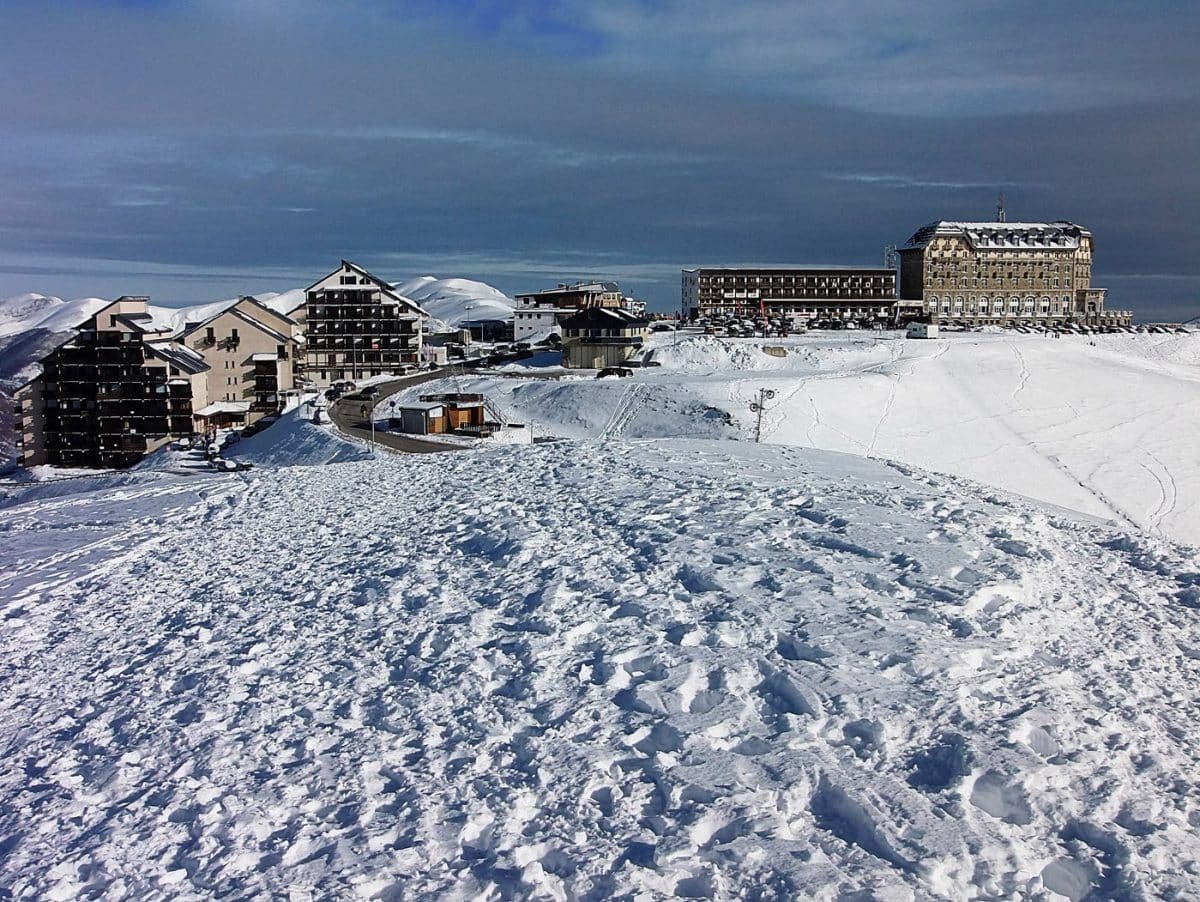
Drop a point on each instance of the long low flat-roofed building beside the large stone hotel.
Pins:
(806, 292)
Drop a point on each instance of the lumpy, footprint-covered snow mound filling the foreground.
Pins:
(703, 670)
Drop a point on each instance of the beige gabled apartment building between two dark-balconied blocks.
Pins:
(255, 357)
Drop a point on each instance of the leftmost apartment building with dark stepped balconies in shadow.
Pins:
(117, 390)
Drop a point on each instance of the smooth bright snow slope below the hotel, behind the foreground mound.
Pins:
(1101, 425)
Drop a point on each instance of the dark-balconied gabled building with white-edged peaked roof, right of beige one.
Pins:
(358, 327)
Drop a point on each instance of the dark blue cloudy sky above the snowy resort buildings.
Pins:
(201, 151)
